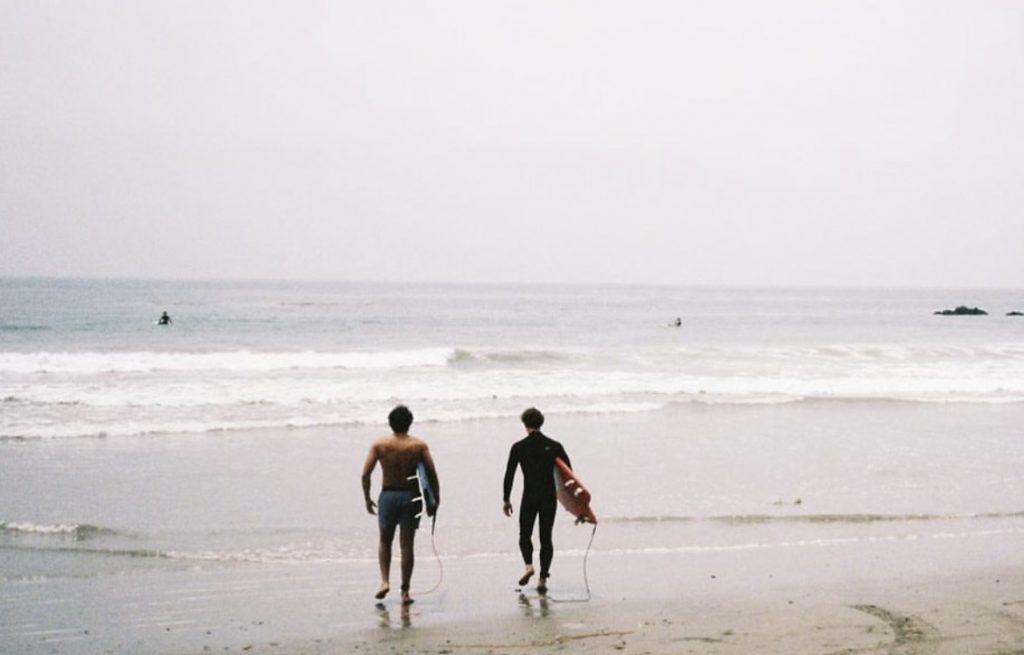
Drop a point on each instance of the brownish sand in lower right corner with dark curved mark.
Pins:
(980, 614)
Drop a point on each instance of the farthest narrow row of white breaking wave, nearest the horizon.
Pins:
(824, 359)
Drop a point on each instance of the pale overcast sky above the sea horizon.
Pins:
(852, 144)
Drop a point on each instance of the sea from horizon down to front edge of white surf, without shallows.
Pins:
(84, 359)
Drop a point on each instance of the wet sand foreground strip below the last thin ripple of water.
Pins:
(949, 592)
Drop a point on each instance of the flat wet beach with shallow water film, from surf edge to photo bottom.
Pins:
(907, 539)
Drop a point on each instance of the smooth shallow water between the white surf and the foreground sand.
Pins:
(690, 477)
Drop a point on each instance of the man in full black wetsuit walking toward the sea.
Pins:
(536, 455)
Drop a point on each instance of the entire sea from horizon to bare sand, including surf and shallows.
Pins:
(154, 478)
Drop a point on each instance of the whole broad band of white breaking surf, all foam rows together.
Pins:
(122, 394)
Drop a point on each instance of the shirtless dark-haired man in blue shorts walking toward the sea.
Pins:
(399, 454)
